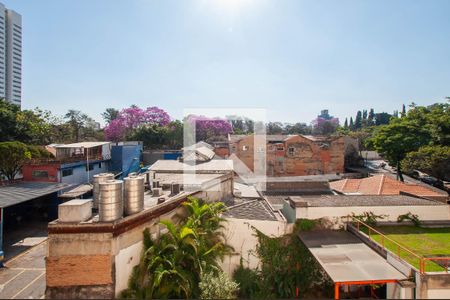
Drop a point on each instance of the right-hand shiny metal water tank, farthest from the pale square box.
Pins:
(133, 194)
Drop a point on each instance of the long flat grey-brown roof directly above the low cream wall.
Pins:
(358, 200)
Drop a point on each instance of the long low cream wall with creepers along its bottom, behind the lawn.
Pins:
(424, 212)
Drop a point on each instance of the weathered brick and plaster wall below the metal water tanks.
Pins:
(95, 260)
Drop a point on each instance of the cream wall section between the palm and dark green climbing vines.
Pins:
(240, 236)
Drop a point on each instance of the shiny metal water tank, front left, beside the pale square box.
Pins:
(110, 200)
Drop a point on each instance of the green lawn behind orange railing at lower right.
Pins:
(422, 241)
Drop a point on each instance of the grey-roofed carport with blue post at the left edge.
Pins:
(15, 194)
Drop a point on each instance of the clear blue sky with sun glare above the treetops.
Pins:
(290, 57)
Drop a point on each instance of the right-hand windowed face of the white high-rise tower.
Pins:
(13, 57)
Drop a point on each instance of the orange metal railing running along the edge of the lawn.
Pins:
(399, 247)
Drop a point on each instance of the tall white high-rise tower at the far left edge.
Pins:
(10, 55)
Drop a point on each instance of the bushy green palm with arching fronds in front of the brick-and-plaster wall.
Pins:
(171, 266)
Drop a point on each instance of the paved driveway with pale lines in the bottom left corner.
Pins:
(23, 276)
